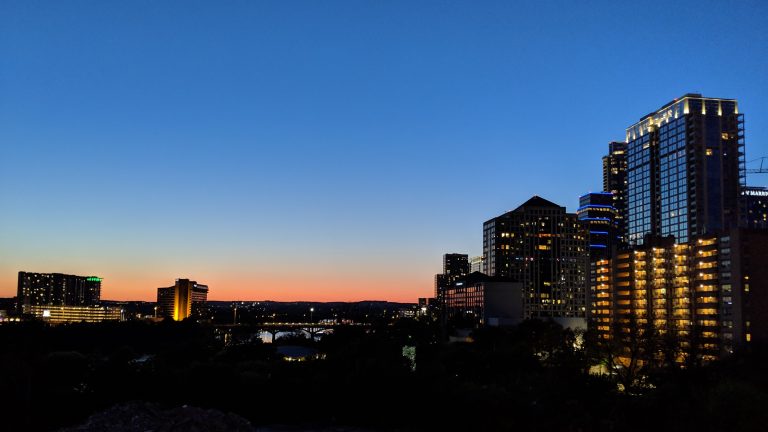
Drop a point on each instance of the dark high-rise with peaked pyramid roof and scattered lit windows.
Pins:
(545, 249)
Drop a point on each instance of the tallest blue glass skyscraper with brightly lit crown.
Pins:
(685, 169)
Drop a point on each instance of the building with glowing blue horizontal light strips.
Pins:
(597, 213)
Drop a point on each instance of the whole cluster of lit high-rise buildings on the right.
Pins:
(676, 243)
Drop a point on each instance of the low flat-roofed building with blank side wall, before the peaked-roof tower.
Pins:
(477, 300)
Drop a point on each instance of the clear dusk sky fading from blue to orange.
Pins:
(327, 150)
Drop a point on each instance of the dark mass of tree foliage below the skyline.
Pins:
(534, 377)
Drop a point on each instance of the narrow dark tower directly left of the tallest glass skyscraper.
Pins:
(615, 182)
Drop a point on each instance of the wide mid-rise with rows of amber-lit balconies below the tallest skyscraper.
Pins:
(703, 298)
